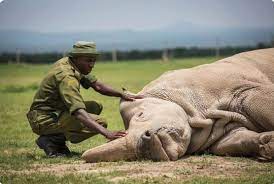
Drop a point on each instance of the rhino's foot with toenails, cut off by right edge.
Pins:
(266, 147)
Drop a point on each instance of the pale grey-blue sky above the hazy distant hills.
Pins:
(93, 15)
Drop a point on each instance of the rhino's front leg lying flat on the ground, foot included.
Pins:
(244, 142)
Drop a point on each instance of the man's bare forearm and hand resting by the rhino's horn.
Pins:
(83, 116)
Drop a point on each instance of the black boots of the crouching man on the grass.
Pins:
(54, 145)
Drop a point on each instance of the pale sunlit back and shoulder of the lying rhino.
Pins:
(206, 84)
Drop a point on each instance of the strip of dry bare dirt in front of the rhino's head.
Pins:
(211, 166)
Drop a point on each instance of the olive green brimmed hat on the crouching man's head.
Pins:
(83, 48)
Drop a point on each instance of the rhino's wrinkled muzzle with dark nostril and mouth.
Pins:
(163, 144)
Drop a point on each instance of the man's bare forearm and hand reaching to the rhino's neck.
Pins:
(109, 91)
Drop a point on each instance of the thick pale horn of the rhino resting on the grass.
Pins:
(112, 151)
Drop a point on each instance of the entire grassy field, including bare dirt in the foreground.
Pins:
(22, 162)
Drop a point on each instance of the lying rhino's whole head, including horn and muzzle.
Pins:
(157, 129)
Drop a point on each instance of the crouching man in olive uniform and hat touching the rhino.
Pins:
(58, 112)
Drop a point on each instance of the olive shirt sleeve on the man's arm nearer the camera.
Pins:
(69, 90)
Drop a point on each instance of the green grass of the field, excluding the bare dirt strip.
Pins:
(18, 152)
